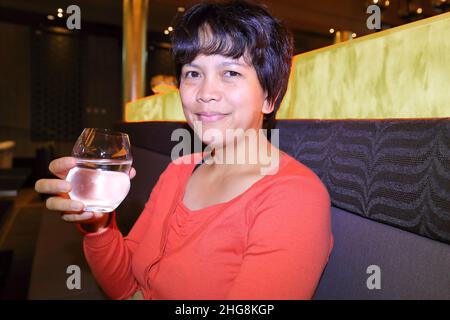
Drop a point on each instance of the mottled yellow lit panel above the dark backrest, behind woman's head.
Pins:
(399, 73)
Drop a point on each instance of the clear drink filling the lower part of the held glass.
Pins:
(101, 184)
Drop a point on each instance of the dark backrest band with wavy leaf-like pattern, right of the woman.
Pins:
(395, 172)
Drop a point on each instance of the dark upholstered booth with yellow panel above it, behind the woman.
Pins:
(388, 179)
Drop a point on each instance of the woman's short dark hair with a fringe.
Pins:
(237, 29)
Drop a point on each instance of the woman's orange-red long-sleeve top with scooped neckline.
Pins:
(270, 242)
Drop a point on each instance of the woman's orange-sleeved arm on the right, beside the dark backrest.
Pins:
(289, 242)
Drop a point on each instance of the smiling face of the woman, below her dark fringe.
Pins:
(221, 93)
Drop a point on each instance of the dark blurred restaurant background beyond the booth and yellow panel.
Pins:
(54, 82)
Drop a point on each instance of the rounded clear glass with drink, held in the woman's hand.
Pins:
(101, 177)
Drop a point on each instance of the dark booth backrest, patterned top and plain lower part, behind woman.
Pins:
(388, 181)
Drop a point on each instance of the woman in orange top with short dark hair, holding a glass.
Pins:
(217, 229)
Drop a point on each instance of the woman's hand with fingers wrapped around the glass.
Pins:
(72, 209)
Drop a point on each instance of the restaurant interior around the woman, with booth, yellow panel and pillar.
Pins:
(367, 108)
